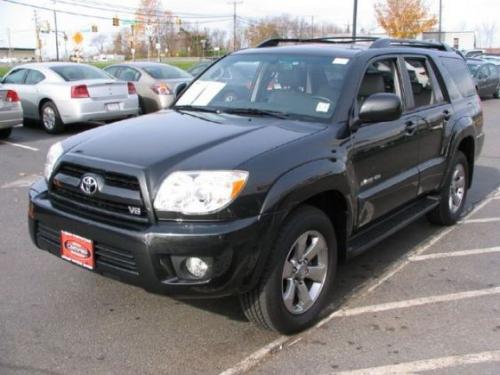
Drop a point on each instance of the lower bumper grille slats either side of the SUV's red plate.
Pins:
(105, 255)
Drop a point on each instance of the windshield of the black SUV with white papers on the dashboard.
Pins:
(293, 85)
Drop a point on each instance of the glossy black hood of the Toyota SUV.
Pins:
(171, 140)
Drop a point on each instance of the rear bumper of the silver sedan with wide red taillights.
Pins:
(87, 110)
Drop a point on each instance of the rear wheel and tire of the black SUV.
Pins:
(453, 194)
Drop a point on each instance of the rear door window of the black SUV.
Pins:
(421, 83)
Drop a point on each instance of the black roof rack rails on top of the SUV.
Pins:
(377, 42)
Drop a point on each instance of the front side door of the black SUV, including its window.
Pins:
(385, 155)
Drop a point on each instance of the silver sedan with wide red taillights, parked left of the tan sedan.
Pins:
(59, 94)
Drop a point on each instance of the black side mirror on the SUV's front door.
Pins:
(380, 107)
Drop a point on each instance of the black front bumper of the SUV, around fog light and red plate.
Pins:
(145, 257)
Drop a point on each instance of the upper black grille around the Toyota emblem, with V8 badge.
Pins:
(119, 199)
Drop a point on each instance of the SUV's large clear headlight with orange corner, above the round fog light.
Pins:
(199, 192)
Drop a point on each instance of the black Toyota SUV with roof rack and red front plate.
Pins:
(273, 166)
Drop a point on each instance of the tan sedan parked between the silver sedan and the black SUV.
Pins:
(155, 82)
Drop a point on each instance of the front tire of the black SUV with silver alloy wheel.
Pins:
(297, 281)
